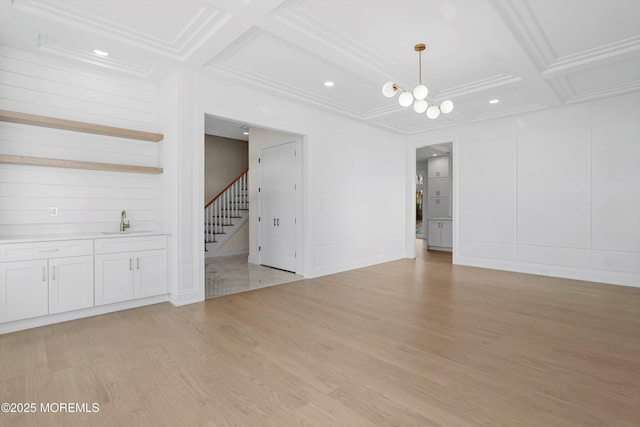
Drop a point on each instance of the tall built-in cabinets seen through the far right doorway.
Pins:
(439, 225)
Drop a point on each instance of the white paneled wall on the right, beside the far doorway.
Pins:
(554, 193)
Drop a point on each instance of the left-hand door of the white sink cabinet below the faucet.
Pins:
(114, 278)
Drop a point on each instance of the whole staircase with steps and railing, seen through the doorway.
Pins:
(226, 213)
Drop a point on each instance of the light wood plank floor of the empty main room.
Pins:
(407, 343)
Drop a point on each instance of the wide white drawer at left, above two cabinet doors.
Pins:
(42, 250)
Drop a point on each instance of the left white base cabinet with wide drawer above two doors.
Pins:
(40, 278)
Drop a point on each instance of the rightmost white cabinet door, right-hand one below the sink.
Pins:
(150, 273)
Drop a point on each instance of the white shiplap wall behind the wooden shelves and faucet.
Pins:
(87, 200)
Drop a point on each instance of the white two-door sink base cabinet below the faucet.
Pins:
(129, 268)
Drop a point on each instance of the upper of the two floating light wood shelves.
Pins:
(51, 122)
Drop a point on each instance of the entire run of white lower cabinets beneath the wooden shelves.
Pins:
(40, 279)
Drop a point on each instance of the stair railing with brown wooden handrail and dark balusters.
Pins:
(225, 206)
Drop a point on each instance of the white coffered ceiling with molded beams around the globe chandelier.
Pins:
(527, 54)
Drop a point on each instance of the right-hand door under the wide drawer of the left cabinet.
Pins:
(70, 283)
